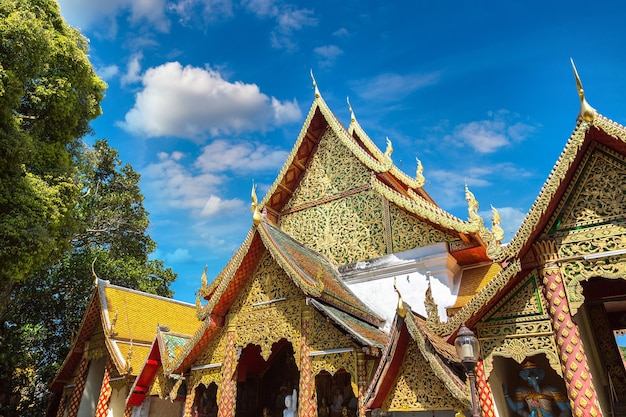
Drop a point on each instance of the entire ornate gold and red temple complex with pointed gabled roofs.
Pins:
(352, 286)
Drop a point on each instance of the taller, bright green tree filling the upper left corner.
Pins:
(49, 93)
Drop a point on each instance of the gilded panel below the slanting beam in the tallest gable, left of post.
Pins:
(346, 230)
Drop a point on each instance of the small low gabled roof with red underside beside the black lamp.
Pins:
(440, 356)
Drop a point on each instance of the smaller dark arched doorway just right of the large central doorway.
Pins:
(335, 395)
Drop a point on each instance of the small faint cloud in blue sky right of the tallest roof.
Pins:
(487, 136)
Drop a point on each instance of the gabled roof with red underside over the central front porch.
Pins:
(310, 271)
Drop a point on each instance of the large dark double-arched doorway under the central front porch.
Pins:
(264, 384)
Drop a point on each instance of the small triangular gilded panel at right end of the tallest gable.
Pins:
(407, 232)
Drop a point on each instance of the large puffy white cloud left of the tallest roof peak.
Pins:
(192, 102)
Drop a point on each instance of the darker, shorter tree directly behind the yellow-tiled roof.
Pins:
(45, 312)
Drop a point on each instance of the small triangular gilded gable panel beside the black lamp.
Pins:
(417, 387)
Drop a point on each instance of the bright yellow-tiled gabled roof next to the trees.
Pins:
(130, 320)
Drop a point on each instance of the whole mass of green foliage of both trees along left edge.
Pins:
(65, 211)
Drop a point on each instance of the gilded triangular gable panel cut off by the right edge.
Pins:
(599, 193)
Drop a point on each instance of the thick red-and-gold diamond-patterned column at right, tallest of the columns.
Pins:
(578, 379)
